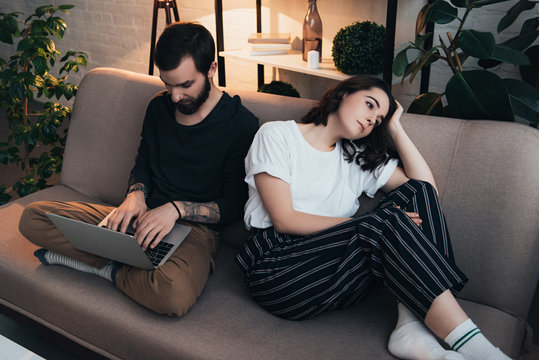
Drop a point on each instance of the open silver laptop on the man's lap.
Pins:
(114, 245)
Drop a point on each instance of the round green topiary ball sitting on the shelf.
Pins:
(359, 48)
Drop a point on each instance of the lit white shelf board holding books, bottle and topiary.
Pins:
(291, 61)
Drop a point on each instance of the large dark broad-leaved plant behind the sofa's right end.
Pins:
(473, 94)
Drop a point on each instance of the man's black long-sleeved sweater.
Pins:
(198, 163)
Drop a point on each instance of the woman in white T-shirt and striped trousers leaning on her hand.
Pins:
(307, 255)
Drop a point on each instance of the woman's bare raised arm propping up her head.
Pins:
(415, 166)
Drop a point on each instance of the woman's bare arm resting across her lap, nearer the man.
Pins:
(277, 199)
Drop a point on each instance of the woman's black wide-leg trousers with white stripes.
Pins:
(300, 277)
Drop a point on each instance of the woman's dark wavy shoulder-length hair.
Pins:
(378, 147)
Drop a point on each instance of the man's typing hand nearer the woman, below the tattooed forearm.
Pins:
(152, 226)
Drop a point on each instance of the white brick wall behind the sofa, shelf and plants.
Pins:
(116, 33)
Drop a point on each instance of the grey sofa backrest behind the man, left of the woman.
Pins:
(104, 132)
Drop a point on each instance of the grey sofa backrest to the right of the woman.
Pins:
(487, 175)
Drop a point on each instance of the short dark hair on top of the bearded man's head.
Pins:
(183, 39)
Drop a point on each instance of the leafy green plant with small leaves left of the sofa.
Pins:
(26, 75)
